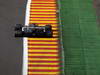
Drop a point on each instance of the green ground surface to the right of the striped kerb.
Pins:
(81, 37)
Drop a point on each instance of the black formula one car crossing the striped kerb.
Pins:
(33, 30)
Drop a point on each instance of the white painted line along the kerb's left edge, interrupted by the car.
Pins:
(25, 41)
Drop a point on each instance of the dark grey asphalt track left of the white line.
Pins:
(11, 12)
